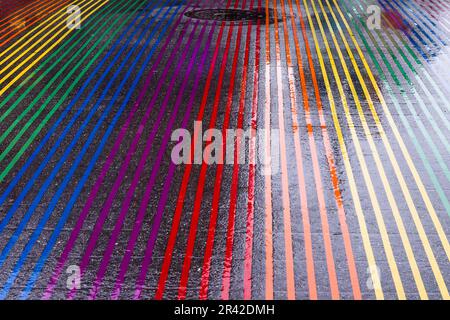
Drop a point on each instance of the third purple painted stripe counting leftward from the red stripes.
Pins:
(138, 173)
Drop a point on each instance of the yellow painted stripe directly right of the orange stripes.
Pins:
(348, 168)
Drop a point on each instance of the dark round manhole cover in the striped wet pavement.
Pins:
(231, 15)
